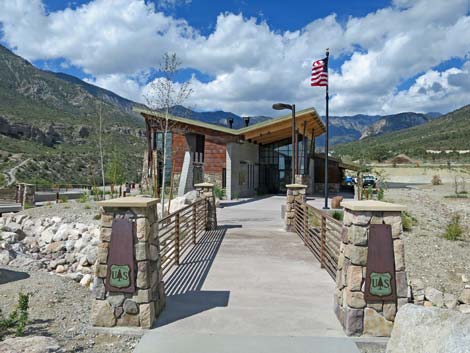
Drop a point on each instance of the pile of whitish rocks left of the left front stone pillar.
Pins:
(52, 244)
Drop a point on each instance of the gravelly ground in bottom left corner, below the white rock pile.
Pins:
(60, 308)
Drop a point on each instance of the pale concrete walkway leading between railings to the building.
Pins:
(248, 287)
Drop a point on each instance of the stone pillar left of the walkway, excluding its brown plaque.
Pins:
(144, 304)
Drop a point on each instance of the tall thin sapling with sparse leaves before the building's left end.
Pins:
(164, 94)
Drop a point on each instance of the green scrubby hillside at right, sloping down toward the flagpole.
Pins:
(449, 132)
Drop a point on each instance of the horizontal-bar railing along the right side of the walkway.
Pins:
(321, 233)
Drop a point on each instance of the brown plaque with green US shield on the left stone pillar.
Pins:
(120, 274)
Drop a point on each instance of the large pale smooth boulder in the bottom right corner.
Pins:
(430, 330)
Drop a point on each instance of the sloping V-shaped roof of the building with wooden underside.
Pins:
(264, 132)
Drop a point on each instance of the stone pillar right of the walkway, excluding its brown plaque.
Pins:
(358, 316)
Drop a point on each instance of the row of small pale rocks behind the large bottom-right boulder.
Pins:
(432, 297)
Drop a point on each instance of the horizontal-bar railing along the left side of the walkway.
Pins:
(178, 231)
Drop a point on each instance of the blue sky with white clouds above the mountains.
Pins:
(244, 55)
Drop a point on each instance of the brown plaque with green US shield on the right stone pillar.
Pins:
(380, 277)
